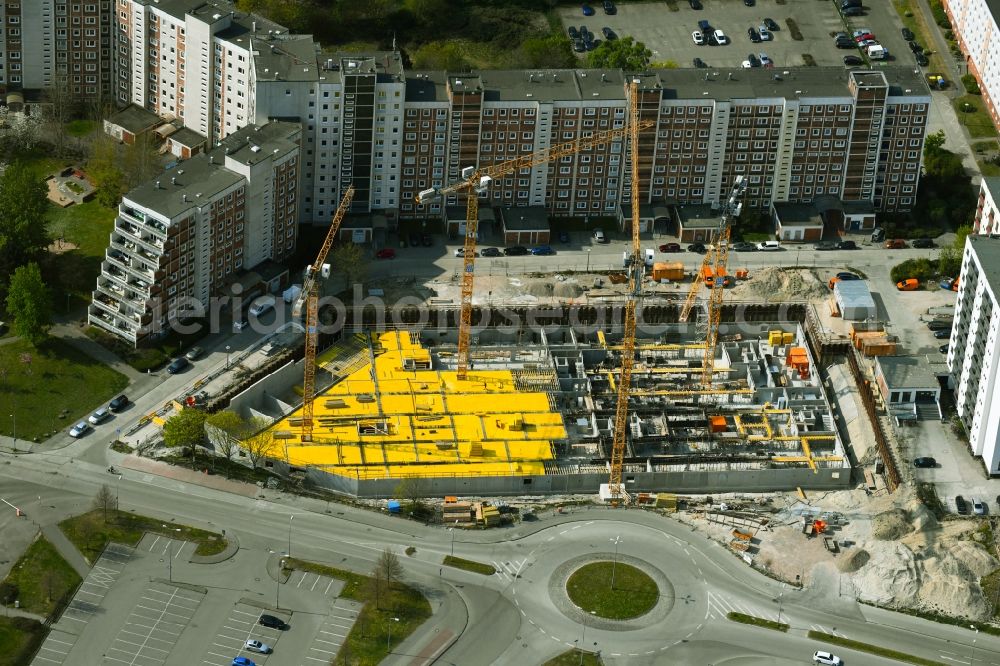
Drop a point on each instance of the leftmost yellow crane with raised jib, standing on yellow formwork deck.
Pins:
(310, 298)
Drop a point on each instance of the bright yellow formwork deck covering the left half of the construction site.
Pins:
(404, 421)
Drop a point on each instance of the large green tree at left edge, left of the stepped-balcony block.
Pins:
(23, 228)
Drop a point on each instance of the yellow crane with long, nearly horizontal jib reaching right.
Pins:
(475, 182)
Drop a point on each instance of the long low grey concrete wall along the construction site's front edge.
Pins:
(762, 480)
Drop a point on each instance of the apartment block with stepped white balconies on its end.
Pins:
(185, 236)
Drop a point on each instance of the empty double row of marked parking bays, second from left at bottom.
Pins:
(154, 625)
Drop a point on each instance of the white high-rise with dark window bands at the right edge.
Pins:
(974, 351)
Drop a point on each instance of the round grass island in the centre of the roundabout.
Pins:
(634, 593)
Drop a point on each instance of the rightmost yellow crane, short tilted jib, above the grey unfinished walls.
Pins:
(715, 265)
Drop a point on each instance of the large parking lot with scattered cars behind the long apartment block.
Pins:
(668, 34)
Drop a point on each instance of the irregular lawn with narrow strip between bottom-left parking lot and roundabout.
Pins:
(401, 610)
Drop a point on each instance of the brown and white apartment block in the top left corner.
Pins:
(57, 43)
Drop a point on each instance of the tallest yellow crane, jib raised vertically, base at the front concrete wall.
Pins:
(636, 267)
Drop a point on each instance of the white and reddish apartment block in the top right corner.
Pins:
(976, 24)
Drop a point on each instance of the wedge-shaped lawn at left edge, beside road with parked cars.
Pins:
(58, 379)
